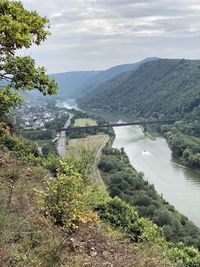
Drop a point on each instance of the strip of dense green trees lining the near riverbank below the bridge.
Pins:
(125, 183)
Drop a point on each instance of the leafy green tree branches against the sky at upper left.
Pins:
(20, 28)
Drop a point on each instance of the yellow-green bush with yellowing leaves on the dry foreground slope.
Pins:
(65, 199)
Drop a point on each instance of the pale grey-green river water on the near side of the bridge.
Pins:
(178, 184)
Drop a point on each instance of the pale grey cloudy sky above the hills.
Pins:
(98, 34)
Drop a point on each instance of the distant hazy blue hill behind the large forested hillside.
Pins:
(74, 84)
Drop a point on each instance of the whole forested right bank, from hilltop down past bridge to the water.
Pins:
(165, 88)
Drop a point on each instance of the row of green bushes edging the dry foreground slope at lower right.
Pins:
(122, 216)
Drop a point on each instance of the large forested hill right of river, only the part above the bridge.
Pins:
(168, 87)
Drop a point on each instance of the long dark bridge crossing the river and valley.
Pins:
(144, 123)
